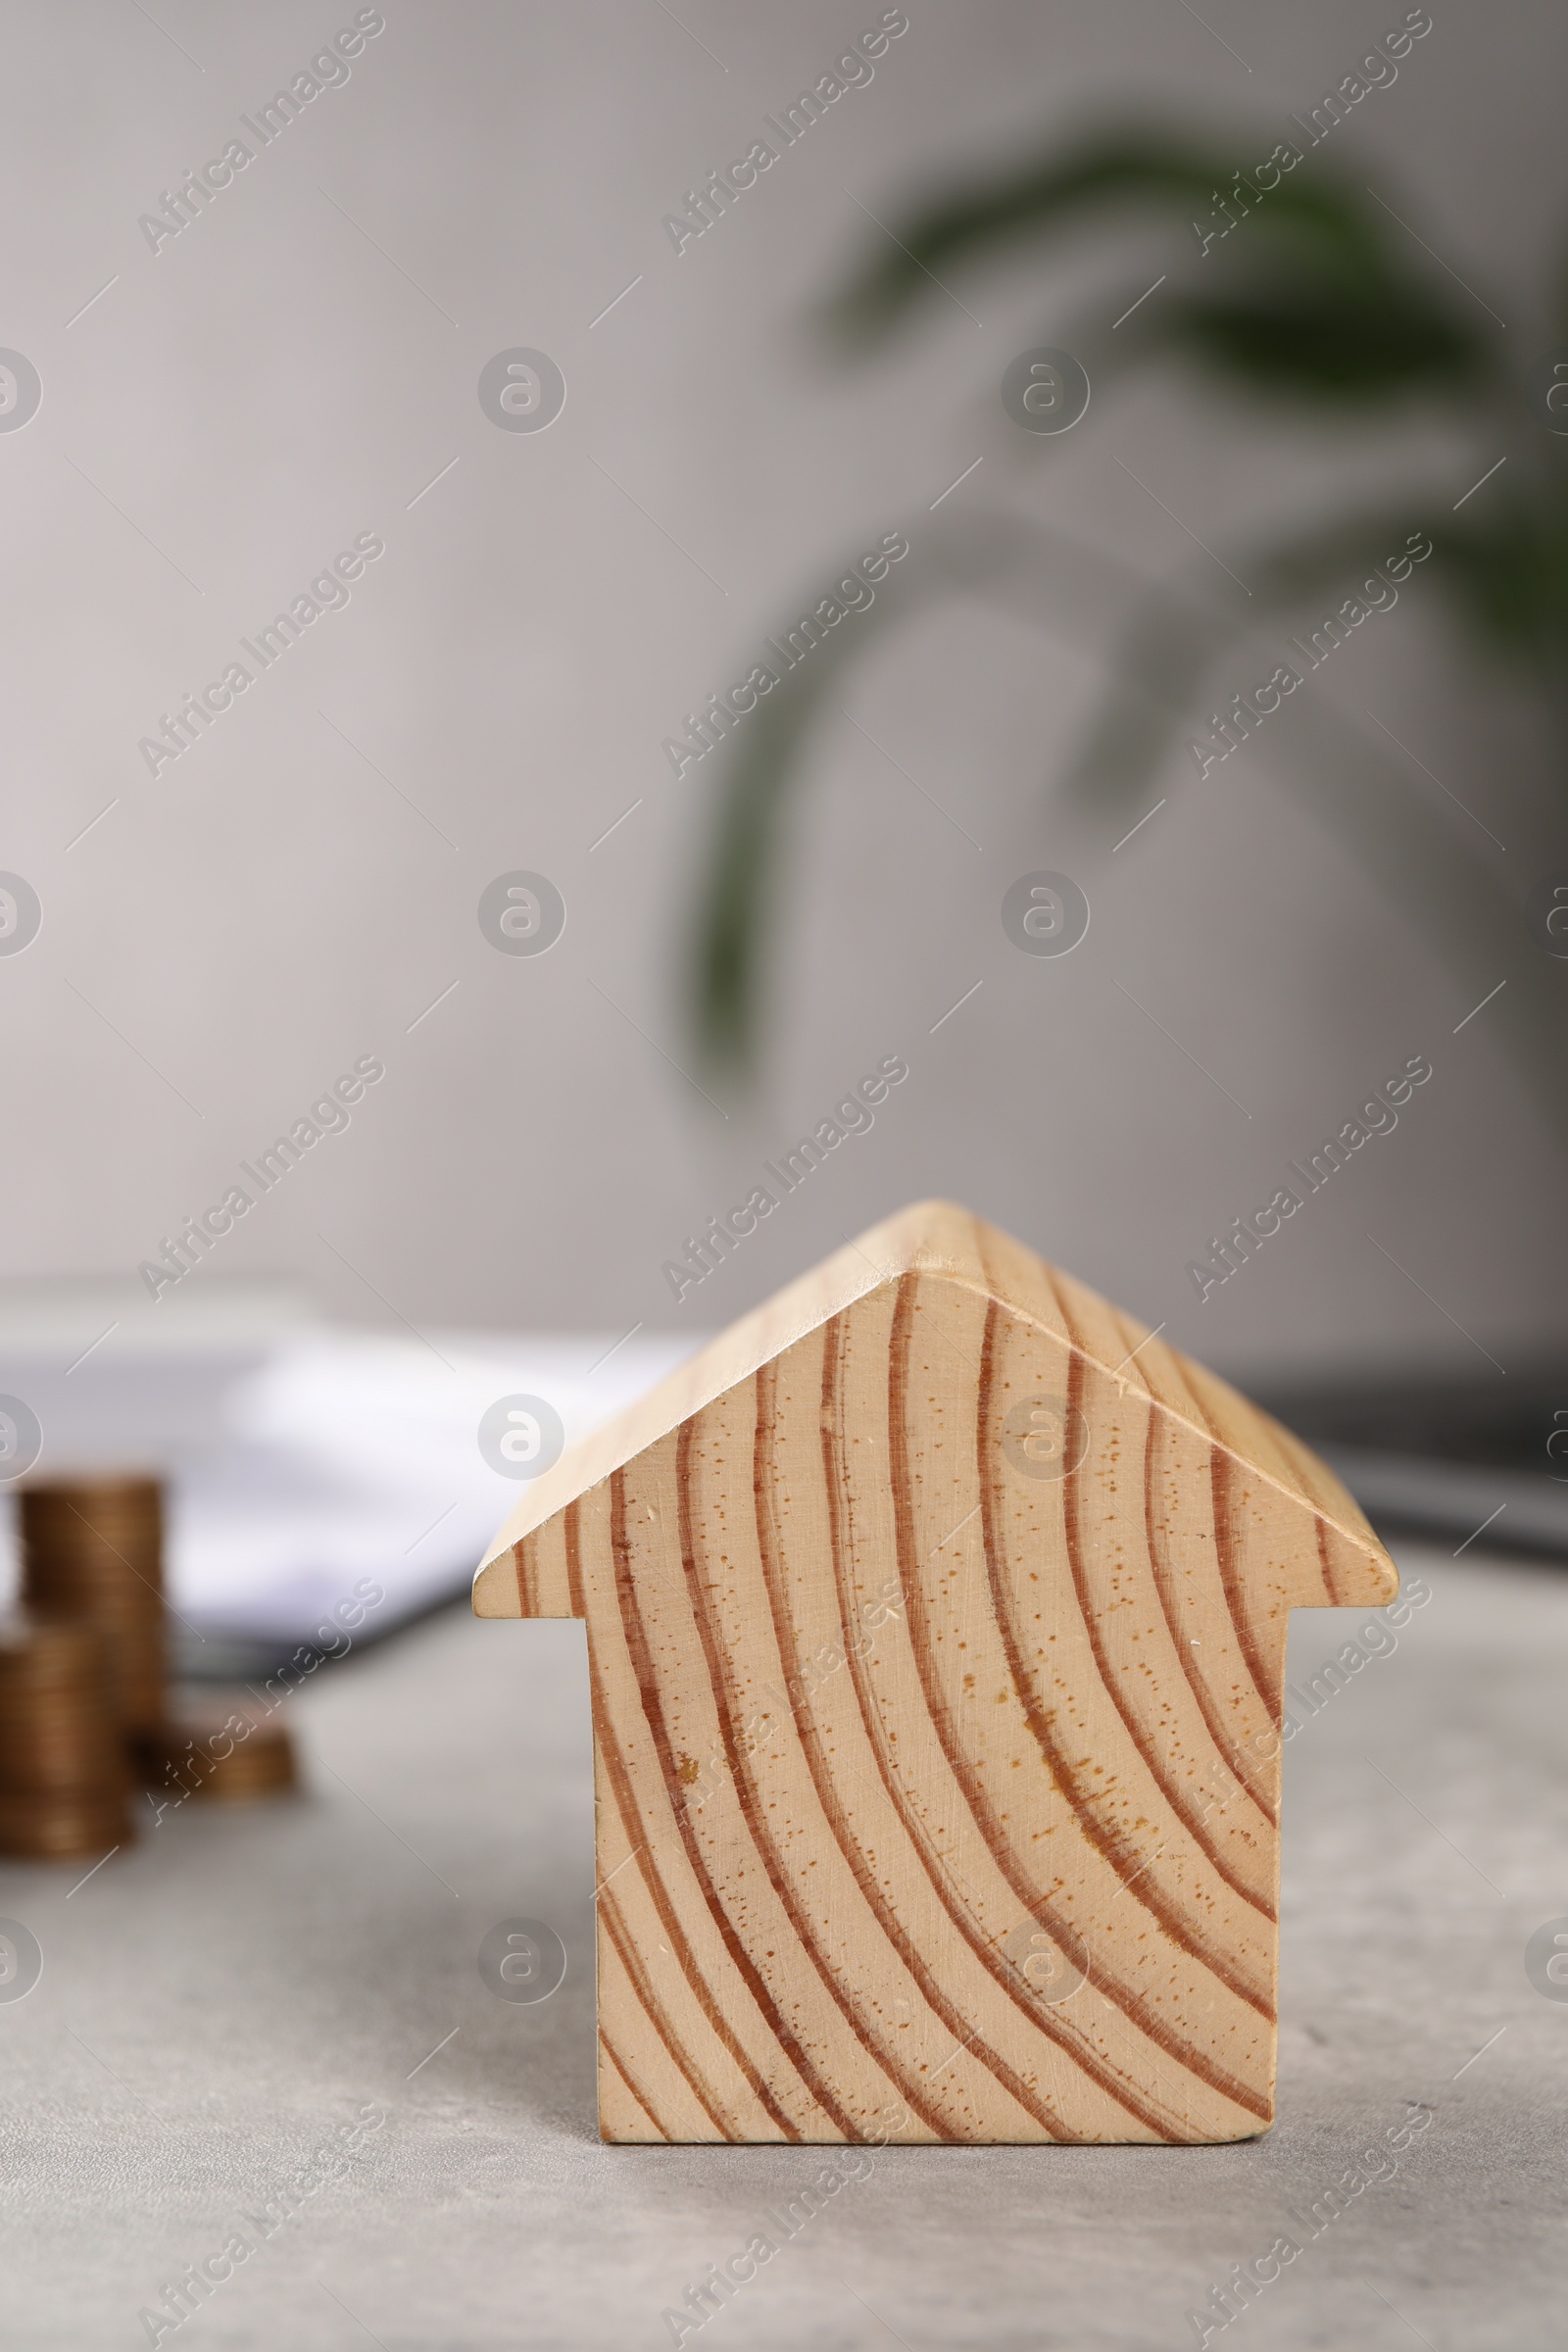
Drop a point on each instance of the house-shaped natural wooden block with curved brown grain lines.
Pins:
(937, 1626)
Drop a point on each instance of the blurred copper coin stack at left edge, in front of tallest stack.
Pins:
(62, 1758)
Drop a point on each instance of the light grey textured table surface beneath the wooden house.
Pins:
(225, 2000)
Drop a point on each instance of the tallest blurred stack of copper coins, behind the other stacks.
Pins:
(93, 1551)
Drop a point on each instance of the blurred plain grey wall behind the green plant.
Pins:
(300, 890)
